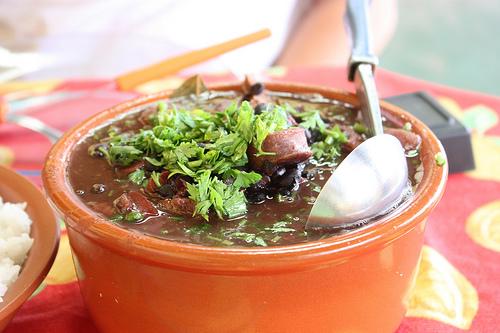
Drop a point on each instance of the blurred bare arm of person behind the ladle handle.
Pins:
(320, 37)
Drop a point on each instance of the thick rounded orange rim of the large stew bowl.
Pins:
(207, 258)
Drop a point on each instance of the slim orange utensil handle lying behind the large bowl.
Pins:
(132, 79)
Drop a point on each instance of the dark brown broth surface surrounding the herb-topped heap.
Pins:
(279, 219)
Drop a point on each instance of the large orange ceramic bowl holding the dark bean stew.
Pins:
(356, 282)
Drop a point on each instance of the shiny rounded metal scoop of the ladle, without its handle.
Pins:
(368, 183)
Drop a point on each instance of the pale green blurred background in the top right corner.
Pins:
(453, 42)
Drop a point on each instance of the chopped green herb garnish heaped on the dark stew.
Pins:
(209, 150)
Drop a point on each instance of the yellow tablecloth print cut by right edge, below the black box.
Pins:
(483, 226)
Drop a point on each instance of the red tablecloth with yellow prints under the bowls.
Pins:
(458, 283)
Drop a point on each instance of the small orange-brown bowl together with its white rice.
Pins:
(29, 239)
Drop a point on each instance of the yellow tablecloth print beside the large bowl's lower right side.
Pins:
(441, 292)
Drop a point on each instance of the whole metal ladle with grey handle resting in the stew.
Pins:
(374, 176)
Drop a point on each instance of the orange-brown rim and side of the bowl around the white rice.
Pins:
(45, 234)
